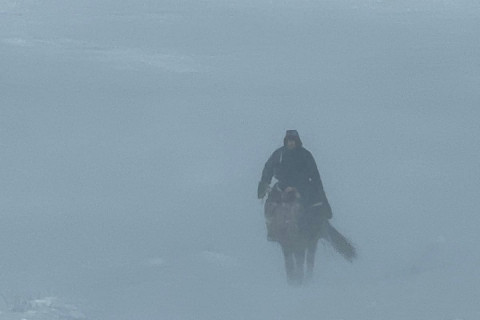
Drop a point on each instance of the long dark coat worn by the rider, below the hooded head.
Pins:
(296, 168)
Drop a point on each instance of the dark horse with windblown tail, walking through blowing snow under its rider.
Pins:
(298, 231)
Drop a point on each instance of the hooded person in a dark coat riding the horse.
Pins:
(294, 166)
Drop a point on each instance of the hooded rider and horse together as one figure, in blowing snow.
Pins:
(297, 211)
